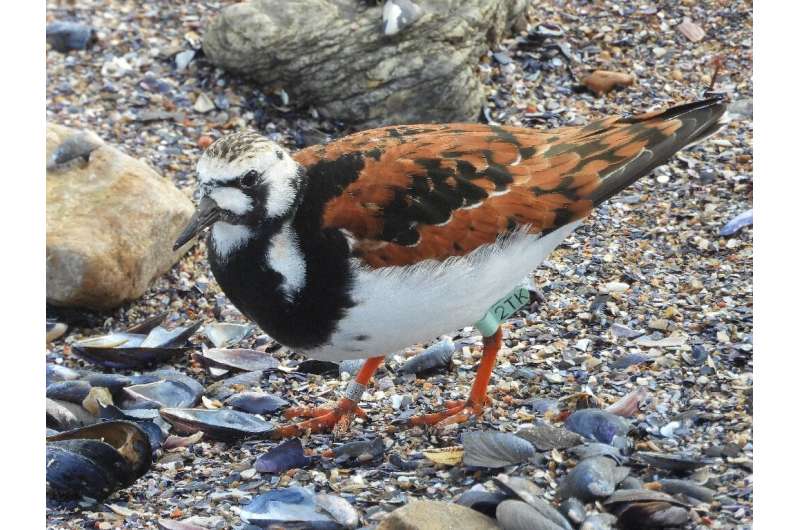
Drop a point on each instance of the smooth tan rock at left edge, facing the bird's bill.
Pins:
(111, 222)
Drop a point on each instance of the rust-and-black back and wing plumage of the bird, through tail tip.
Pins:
(417, 192)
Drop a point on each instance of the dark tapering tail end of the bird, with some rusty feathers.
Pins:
(662, 134)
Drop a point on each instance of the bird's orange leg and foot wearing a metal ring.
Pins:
(326, 419)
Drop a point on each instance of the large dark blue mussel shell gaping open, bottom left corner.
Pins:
(96, 460)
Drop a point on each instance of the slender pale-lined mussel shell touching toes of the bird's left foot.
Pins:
(219, 424)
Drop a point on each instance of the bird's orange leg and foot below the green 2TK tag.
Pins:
(460, 411)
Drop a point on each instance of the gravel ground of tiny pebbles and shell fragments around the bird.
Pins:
(660, 239)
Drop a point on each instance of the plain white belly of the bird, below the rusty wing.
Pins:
(399, 307)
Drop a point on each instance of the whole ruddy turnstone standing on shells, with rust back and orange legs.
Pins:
(394, 236)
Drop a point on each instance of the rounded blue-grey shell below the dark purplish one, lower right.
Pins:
(593, 478)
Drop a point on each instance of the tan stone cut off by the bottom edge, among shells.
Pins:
(436, 515)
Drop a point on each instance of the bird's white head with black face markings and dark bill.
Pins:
(245, 181)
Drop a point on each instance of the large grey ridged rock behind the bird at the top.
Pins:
(334, 55)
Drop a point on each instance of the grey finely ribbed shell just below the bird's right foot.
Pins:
(495, 449)
